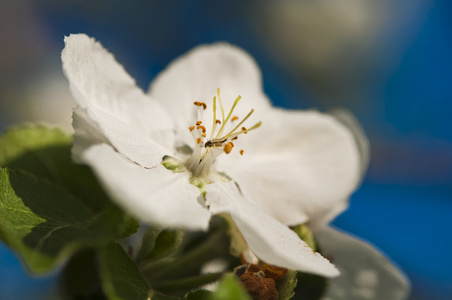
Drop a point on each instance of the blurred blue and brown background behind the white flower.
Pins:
(389, 62)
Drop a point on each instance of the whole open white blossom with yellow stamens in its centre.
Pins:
(161, 156)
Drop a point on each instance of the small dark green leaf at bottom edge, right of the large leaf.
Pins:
(121, 279)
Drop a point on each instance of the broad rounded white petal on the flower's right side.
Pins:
(299, 166)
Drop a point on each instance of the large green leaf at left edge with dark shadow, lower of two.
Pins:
(44, 224)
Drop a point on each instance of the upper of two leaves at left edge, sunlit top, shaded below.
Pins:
(46, 153)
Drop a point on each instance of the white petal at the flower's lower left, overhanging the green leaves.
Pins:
(154, 195)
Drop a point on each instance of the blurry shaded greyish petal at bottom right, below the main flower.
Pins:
(365, 273)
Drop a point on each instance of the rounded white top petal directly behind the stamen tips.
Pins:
(197, 75)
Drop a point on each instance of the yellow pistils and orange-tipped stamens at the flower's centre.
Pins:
(221, 137)
